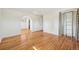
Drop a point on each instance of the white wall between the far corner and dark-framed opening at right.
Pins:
(51, 23)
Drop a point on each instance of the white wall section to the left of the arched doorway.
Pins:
(10, 23)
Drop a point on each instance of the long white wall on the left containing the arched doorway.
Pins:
(10, 23)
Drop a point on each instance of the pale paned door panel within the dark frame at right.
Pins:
(68, 24)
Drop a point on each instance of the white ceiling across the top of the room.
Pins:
(38, 11)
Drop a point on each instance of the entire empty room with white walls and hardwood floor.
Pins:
(39, 28)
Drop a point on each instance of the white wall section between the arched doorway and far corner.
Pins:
(37, 23)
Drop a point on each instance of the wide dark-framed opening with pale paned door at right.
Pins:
(67, 24)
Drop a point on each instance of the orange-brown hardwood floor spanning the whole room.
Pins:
(38, 41)
